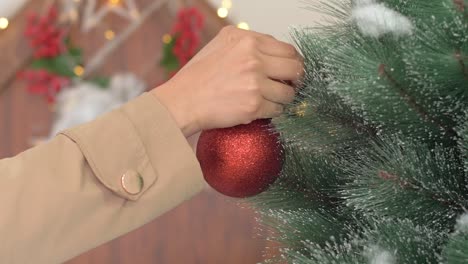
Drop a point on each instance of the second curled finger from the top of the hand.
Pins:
(283, 68)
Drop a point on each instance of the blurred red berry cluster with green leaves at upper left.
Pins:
(56, 60)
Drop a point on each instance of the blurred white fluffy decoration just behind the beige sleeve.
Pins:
(85, 101)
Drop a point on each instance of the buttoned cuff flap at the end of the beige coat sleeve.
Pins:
(143, 145)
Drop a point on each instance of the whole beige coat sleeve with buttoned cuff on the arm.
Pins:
(94, 183)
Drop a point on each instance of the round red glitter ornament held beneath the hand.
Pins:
(241, 161)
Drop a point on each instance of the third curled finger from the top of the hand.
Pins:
(277, 92)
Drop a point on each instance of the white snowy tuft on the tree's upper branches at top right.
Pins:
(375, 19)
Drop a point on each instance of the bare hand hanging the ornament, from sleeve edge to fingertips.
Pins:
(232, 81)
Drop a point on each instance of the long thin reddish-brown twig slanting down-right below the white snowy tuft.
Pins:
(413, 103)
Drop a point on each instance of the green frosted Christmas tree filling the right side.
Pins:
(376, 143)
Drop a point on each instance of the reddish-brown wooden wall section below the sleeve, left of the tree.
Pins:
(207, 229)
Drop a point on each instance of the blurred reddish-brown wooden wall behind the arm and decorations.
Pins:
(207, 229)
